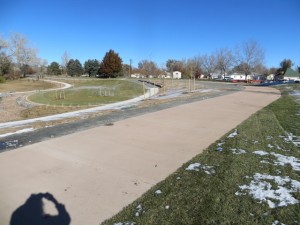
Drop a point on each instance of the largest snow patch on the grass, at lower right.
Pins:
(278, 195)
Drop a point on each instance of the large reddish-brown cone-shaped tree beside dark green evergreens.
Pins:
(111, 65)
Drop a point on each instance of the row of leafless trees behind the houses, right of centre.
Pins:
(247, 58)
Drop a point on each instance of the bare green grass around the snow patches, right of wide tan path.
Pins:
(199, 198)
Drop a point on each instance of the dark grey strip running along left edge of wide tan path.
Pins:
(20, 140)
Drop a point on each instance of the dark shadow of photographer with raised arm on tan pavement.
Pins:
(32, 212)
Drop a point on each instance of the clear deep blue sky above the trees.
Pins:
(153, 29)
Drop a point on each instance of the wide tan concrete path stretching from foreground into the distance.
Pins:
(96, 172)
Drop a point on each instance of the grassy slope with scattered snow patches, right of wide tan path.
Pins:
(217, 190)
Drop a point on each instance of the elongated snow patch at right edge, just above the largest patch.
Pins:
(282, 160)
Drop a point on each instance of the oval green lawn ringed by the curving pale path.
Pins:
(92, 92)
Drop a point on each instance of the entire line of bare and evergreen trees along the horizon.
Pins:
(18, 58)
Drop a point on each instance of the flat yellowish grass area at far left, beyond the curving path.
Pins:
(25, 85)
